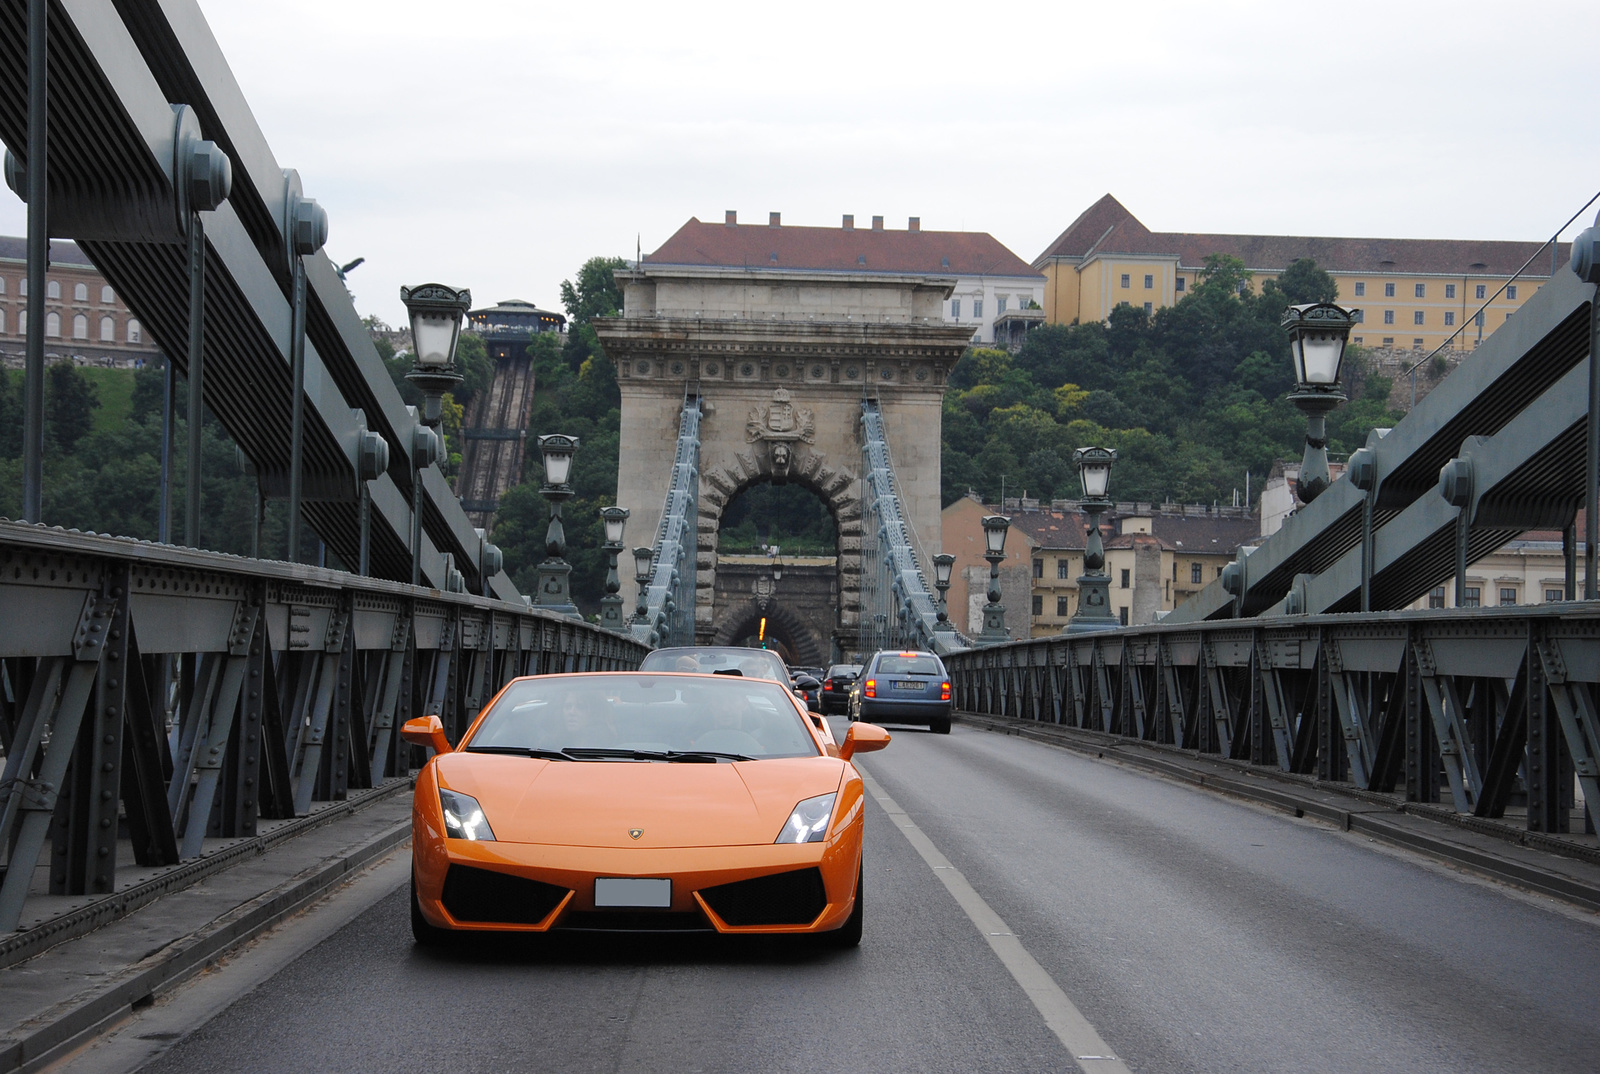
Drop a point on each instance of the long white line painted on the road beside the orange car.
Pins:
(1063, 1017)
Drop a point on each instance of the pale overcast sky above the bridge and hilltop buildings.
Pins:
(498, 145)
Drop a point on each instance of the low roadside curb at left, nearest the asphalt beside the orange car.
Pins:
(79, 1019)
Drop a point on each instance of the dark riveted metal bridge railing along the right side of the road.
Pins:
(1489, 710)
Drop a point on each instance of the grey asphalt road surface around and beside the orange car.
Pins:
(1194, 932)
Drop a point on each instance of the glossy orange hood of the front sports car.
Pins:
(601, 804)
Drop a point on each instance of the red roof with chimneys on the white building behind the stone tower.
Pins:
(839, 250)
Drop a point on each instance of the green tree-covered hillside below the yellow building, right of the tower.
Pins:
(1191, 398)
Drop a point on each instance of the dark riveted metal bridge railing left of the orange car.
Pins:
(186, 695)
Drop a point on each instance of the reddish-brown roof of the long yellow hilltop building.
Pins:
(1110, 228)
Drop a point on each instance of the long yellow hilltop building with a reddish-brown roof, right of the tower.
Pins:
(1410, 294)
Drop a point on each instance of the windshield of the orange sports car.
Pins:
(644, 715)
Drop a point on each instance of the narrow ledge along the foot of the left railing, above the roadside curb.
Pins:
(26, 945)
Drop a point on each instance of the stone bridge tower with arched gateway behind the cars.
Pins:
(783, 332)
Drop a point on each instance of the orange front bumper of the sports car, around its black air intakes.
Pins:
(692, 870)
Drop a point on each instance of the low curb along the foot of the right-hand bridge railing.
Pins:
(1351, 811)
